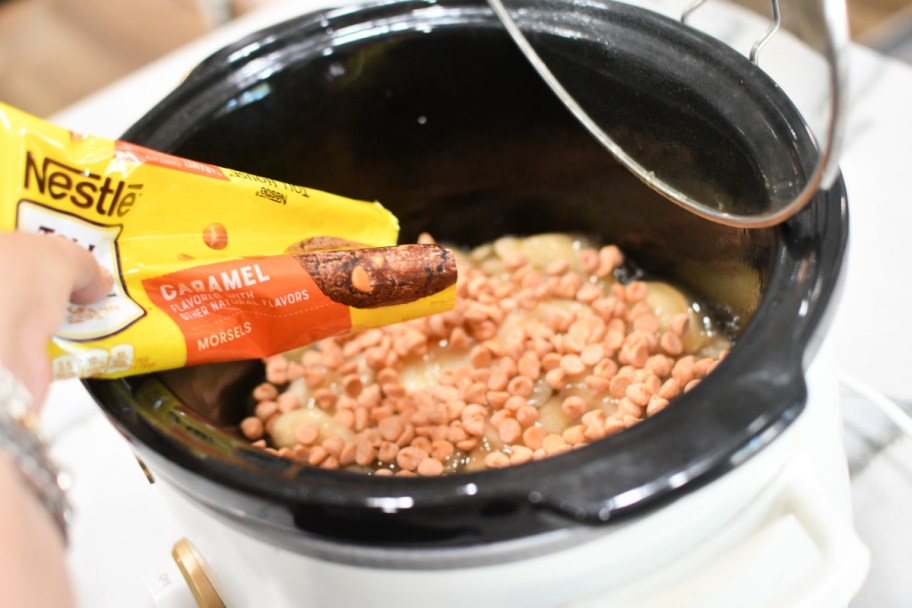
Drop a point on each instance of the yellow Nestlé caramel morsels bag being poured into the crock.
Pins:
(209, 264)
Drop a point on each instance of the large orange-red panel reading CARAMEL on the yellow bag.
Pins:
(245, 309)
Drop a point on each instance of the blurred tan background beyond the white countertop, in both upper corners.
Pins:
(55, 52)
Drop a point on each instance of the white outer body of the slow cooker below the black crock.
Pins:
(775, 531)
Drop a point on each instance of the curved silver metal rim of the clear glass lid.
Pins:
(829, 32)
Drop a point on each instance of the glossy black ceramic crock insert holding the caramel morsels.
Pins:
(430, 109)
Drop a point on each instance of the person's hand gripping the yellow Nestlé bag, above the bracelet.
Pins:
(39, 276)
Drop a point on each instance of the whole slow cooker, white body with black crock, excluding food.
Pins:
(429, 108)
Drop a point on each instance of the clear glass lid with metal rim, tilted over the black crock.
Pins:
(824, 28)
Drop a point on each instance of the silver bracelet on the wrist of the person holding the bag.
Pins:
(21, 438)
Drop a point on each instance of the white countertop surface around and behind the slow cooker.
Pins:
(122, 534)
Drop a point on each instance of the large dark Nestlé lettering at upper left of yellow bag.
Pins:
(107, 197)
